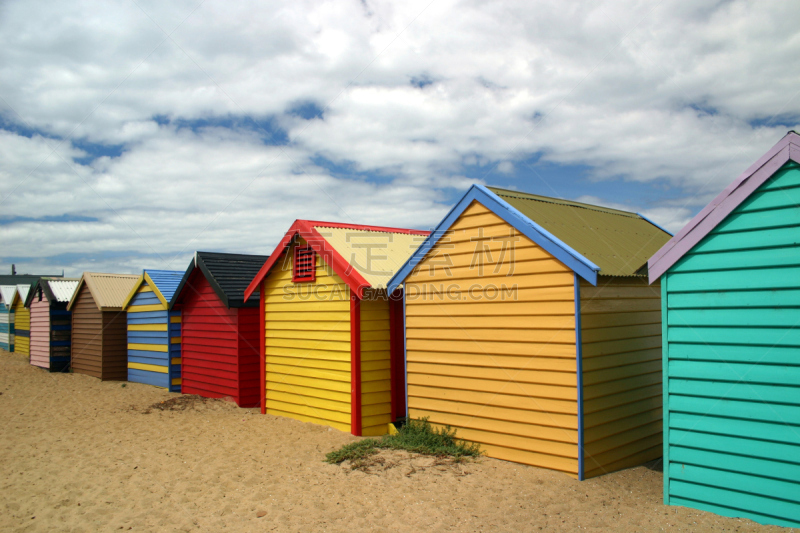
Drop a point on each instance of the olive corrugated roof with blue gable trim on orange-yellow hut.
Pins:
(590, 240)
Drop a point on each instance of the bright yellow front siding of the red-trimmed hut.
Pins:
(307, 345)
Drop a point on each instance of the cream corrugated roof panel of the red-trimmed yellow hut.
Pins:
(376, 255)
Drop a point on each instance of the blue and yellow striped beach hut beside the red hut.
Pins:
(154, 332)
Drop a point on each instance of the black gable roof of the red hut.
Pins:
(228, 274)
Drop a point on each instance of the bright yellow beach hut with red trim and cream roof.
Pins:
(331, 336)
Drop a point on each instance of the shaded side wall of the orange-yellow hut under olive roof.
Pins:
(621, 334)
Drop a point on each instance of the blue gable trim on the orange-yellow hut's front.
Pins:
(557, 248)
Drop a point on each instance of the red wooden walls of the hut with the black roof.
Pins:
(219, 346)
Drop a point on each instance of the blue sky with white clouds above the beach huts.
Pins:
(134, 133)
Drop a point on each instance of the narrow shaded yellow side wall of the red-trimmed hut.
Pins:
(376, 387)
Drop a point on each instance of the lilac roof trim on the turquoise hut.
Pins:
(787, 149)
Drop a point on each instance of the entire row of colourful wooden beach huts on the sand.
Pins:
(553, 333)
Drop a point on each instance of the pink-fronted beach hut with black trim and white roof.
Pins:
(50, 333)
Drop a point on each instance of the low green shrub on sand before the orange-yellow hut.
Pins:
(416, 436)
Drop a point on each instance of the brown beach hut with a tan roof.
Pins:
(99, 325)
